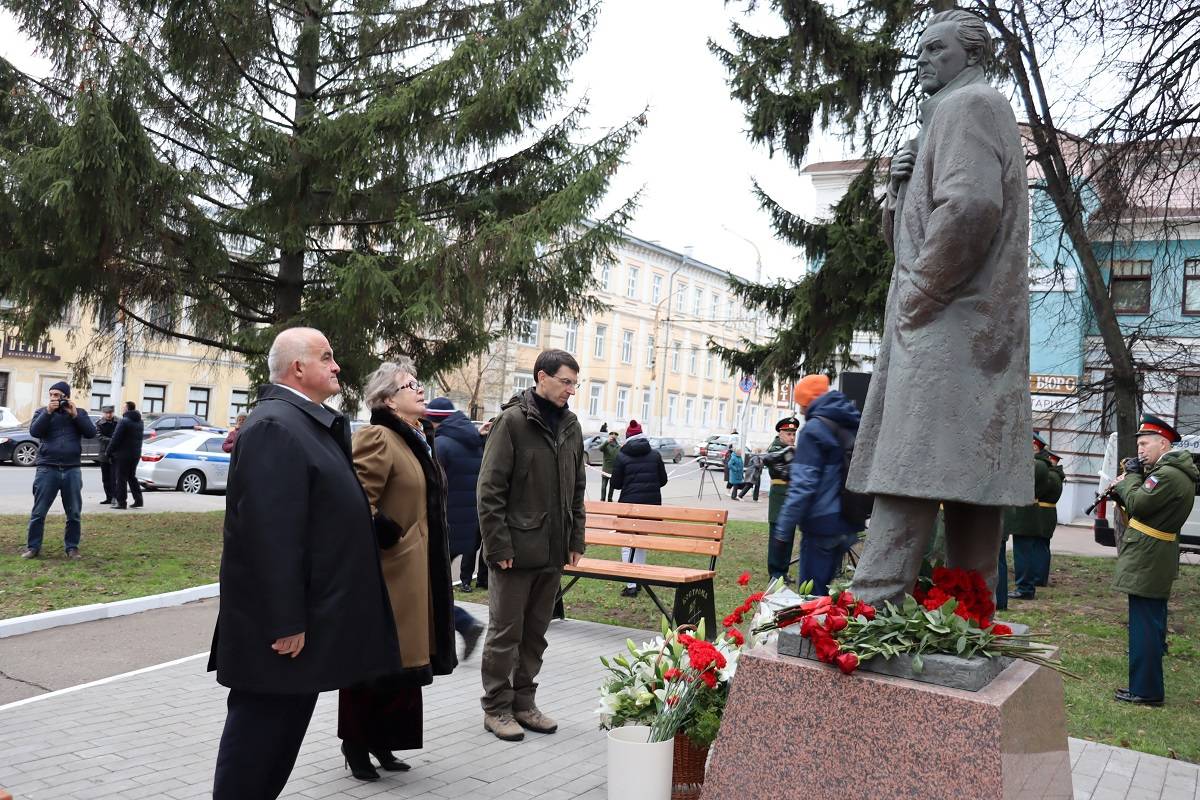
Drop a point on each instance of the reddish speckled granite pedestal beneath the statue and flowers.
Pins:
(799, 729)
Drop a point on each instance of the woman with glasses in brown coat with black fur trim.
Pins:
(406, 489)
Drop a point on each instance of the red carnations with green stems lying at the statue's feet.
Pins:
(949, 613)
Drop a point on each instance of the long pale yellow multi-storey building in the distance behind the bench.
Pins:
(646, 358)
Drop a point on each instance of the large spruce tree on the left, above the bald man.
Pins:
(399, 173)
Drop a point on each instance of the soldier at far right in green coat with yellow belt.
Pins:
(1156, 494)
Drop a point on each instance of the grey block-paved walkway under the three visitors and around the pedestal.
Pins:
(154, 735)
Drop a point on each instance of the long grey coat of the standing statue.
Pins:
(949, 413)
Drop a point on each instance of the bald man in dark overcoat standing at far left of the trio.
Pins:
(304, 609)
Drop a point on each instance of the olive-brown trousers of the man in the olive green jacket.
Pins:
(521, 604)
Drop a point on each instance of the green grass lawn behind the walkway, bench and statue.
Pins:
(129, 556)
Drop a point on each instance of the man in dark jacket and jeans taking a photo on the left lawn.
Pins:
(61, 429)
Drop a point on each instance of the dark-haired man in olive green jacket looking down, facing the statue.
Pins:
(532, 521)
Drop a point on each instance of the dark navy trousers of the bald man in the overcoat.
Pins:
(260, 745)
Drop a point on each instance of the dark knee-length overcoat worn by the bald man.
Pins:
(301, 556)
